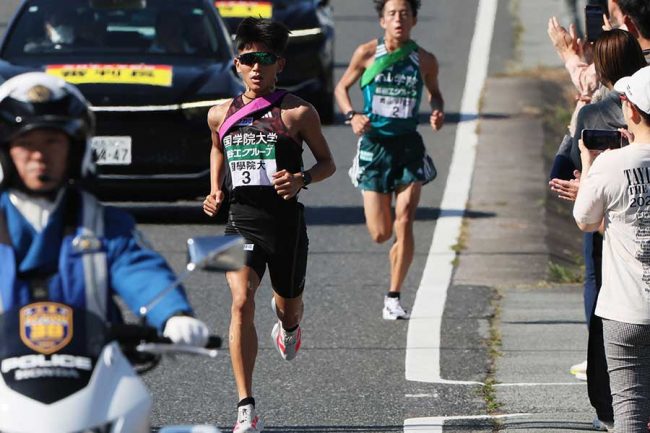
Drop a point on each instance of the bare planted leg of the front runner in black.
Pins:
(243, 336)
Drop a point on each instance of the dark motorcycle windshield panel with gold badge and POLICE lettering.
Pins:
(48, 350)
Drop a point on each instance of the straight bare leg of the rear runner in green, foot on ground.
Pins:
(401, 253)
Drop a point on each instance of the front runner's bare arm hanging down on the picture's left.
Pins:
(213, 201)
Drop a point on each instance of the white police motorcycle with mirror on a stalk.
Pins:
(67, 371)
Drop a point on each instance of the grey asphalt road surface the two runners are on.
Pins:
(349, 375)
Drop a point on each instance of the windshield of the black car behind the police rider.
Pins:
(116, 27)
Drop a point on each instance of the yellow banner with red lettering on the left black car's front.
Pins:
(150, 75)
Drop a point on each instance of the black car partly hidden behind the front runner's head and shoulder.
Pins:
(310, 54)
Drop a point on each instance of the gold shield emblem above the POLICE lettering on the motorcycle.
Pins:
(46, 327)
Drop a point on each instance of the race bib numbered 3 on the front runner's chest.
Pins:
(251, 157)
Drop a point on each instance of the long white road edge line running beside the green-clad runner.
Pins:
(423, 339)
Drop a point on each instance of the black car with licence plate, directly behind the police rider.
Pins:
(151, 70)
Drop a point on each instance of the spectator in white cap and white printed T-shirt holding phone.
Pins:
(614, 193)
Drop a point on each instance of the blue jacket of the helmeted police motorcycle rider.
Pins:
(85, 254)
